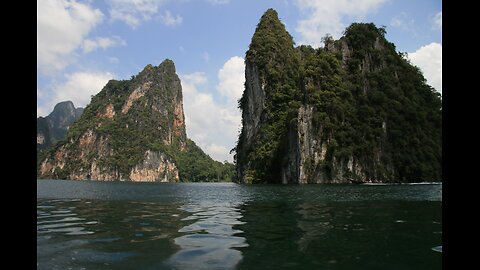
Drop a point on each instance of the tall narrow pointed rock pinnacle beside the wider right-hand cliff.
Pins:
(270, 99)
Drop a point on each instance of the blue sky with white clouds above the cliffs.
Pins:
(81, 44)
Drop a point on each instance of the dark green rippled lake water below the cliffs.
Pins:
(104, 225)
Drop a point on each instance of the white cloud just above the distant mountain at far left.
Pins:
(79, 87)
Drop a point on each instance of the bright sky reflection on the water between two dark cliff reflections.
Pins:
(209, 242)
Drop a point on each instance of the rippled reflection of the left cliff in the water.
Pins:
(76, 234)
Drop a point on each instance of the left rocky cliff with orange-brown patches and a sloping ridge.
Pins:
(125, 132)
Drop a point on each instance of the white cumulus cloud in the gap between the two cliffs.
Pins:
(212, 124)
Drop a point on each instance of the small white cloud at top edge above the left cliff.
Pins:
(133, 12)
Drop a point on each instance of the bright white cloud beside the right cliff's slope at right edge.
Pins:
(429, 59)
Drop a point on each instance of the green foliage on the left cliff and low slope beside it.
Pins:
(148, 125)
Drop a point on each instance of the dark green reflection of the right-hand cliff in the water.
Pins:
(334, 235)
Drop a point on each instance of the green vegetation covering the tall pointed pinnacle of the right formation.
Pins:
(272, 52)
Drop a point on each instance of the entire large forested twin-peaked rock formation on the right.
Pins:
(353, 111)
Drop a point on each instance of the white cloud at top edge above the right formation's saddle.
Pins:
(326, 16)
